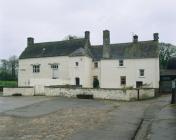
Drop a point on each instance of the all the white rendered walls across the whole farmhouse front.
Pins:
(108, 72)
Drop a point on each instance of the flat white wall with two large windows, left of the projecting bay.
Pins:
(26, 77)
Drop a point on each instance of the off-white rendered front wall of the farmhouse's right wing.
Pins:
(111, 72)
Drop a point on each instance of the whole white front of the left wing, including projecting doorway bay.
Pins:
(67, 71)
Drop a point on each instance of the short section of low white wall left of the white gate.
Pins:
(23, 91)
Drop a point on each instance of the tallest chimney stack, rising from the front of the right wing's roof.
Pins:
(106, 44)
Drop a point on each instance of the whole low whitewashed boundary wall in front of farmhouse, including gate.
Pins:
(111, 94)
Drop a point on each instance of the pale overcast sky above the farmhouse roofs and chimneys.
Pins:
(52, 20)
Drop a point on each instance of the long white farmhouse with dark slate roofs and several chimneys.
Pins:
(77, 62)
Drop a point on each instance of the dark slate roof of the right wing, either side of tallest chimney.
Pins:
(142, 49)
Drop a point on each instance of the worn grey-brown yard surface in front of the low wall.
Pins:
(58, 118)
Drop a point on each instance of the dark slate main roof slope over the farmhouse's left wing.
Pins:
(51, 49)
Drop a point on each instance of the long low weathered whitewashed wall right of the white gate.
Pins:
(111, 94)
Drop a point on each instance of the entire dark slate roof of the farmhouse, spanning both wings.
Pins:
(76, 47)
